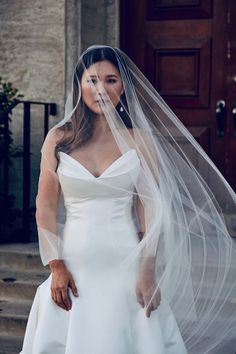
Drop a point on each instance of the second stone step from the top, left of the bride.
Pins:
(20, 285)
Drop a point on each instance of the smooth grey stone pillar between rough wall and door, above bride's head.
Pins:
(87, 23)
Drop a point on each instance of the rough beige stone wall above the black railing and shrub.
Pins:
(33, 47)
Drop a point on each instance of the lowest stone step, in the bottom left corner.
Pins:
(10, 343)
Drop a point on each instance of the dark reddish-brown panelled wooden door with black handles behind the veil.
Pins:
(187, 49)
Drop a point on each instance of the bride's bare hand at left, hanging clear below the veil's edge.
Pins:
(61, 281)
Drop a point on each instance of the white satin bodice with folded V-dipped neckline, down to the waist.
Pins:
(100, 199)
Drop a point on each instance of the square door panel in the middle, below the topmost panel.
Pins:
(180, 71)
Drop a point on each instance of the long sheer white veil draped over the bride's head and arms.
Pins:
(182, 196)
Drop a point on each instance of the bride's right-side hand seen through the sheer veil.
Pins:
(146, 289)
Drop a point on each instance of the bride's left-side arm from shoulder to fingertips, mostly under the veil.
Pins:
(46, 217)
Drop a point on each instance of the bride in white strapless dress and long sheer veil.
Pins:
(127, 225)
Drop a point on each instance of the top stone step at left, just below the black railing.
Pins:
(21, 256)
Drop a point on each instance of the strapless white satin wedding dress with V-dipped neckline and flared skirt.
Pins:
(99, 233)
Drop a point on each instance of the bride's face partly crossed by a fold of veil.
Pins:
(101, 79)
